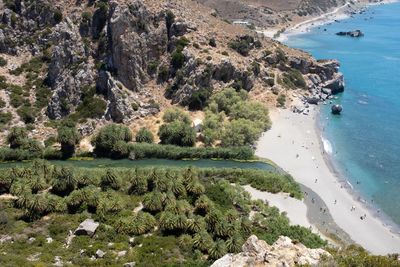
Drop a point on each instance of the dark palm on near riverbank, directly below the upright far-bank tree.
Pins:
(64, 181)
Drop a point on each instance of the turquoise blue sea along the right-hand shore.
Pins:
(367, 135)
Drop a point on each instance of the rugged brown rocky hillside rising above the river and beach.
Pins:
(122, 61)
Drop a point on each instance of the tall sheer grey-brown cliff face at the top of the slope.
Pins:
(135, 41)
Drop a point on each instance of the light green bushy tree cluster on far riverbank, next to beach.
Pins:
(247, 119)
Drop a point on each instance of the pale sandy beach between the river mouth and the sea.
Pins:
(295, 145)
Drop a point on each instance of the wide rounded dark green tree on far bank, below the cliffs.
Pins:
(109, 139)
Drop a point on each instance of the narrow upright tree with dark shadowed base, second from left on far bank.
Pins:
(68, 136)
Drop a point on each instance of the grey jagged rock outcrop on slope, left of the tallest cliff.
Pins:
(69, 70)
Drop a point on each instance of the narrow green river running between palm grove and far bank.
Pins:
(125, 163)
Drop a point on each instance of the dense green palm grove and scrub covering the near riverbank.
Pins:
(188, 214)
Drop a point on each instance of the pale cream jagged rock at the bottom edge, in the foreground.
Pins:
(284, 252)
